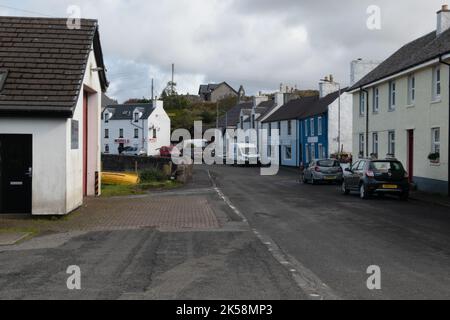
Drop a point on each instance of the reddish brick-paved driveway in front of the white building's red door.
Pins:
(171, 213)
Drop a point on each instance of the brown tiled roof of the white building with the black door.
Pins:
(46, 62)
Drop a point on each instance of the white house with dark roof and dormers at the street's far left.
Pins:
(145, 127)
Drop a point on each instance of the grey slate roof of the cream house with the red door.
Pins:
(419, 51)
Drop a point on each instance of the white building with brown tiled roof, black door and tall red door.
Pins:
(50, 107)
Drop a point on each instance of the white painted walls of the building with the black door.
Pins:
(57, 170)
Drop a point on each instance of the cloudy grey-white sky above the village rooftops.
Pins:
(256, 43)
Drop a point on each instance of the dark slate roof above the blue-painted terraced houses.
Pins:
(304, 107)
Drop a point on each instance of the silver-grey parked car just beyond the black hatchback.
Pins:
(324, 170)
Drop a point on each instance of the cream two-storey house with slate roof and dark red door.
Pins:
(401, 108)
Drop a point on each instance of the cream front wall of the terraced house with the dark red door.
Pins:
(422, 117)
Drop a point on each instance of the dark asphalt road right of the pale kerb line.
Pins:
(338, 237)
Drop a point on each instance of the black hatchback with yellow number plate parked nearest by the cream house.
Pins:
(380, 177)
